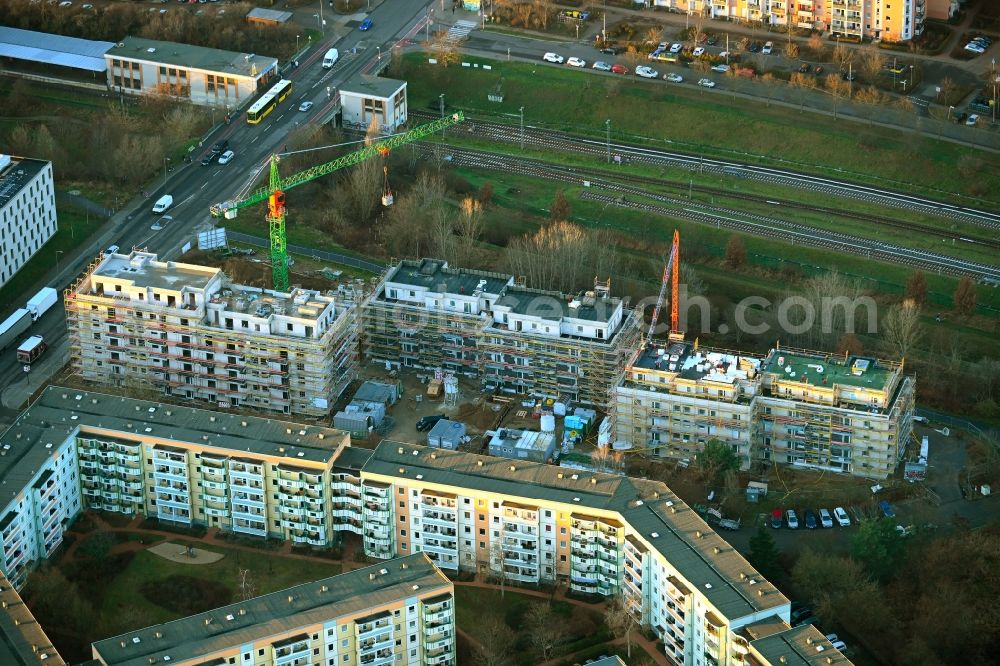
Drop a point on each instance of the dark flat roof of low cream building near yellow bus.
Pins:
(193, 57)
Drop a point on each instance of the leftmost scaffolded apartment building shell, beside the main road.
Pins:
(192, 333)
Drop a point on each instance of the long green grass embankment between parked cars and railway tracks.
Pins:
(687, 119)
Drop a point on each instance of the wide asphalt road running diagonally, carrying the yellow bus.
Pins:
(195, 188)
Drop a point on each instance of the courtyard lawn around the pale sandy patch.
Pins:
(269, 573)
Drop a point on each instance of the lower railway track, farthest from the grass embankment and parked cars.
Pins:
(717, 216)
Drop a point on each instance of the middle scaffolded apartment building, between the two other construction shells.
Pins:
(425, 314)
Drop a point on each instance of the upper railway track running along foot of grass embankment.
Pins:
(561, 141)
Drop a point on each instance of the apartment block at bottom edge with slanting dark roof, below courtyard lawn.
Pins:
(399, 612)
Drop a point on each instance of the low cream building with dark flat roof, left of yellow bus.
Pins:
(226, 79)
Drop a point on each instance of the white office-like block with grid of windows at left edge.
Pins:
(27, 211)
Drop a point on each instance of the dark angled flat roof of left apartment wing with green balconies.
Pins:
(60, 411)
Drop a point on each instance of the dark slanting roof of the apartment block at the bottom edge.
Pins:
(276, 613)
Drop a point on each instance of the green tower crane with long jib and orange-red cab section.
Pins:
(274, 191)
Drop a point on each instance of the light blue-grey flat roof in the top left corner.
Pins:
(50, 49)
